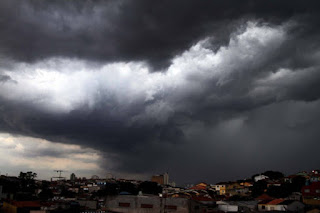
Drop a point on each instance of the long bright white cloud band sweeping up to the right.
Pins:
(61, 85)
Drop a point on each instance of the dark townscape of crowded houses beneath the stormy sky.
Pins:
(120, 195)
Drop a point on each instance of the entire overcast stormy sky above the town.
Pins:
(206, 90)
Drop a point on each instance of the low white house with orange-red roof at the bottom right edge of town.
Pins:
(280, 205)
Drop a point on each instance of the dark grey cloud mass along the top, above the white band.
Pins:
(126, 30)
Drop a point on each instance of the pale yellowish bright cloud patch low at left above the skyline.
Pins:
(42, 156)
